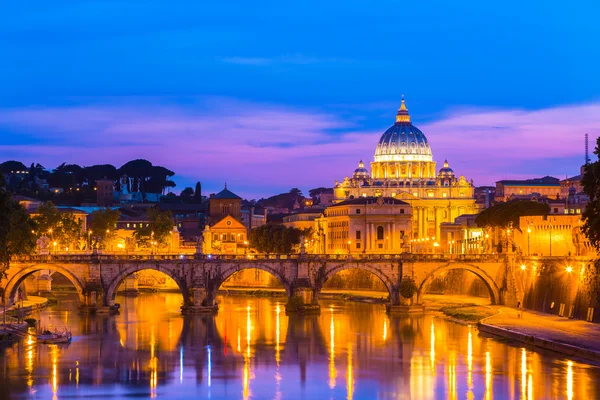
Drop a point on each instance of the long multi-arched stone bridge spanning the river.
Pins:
(98, 277)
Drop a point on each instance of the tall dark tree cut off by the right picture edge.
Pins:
(591, 186)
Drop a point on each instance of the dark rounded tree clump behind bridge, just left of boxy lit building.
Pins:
(272, 238)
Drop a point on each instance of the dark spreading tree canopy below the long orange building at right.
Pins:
(502, 214)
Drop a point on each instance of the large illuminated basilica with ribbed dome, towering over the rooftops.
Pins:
(404, 169)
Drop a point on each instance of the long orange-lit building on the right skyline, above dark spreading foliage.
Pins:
(510, 189)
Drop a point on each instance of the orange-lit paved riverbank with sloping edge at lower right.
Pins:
(574, 338)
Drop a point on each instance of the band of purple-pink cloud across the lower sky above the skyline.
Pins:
(261, 149)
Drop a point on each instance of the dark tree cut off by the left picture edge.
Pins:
(16, 229)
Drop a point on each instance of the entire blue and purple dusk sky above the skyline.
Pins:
(269, 95)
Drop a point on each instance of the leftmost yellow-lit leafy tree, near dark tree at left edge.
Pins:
(62, 228)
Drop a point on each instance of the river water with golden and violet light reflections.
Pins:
(252, 350)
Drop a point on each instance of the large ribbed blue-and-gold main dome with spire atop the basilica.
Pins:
(403, 141)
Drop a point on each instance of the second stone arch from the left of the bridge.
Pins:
(173, 271)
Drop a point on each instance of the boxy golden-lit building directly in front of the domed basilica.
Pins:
(363, 225)
